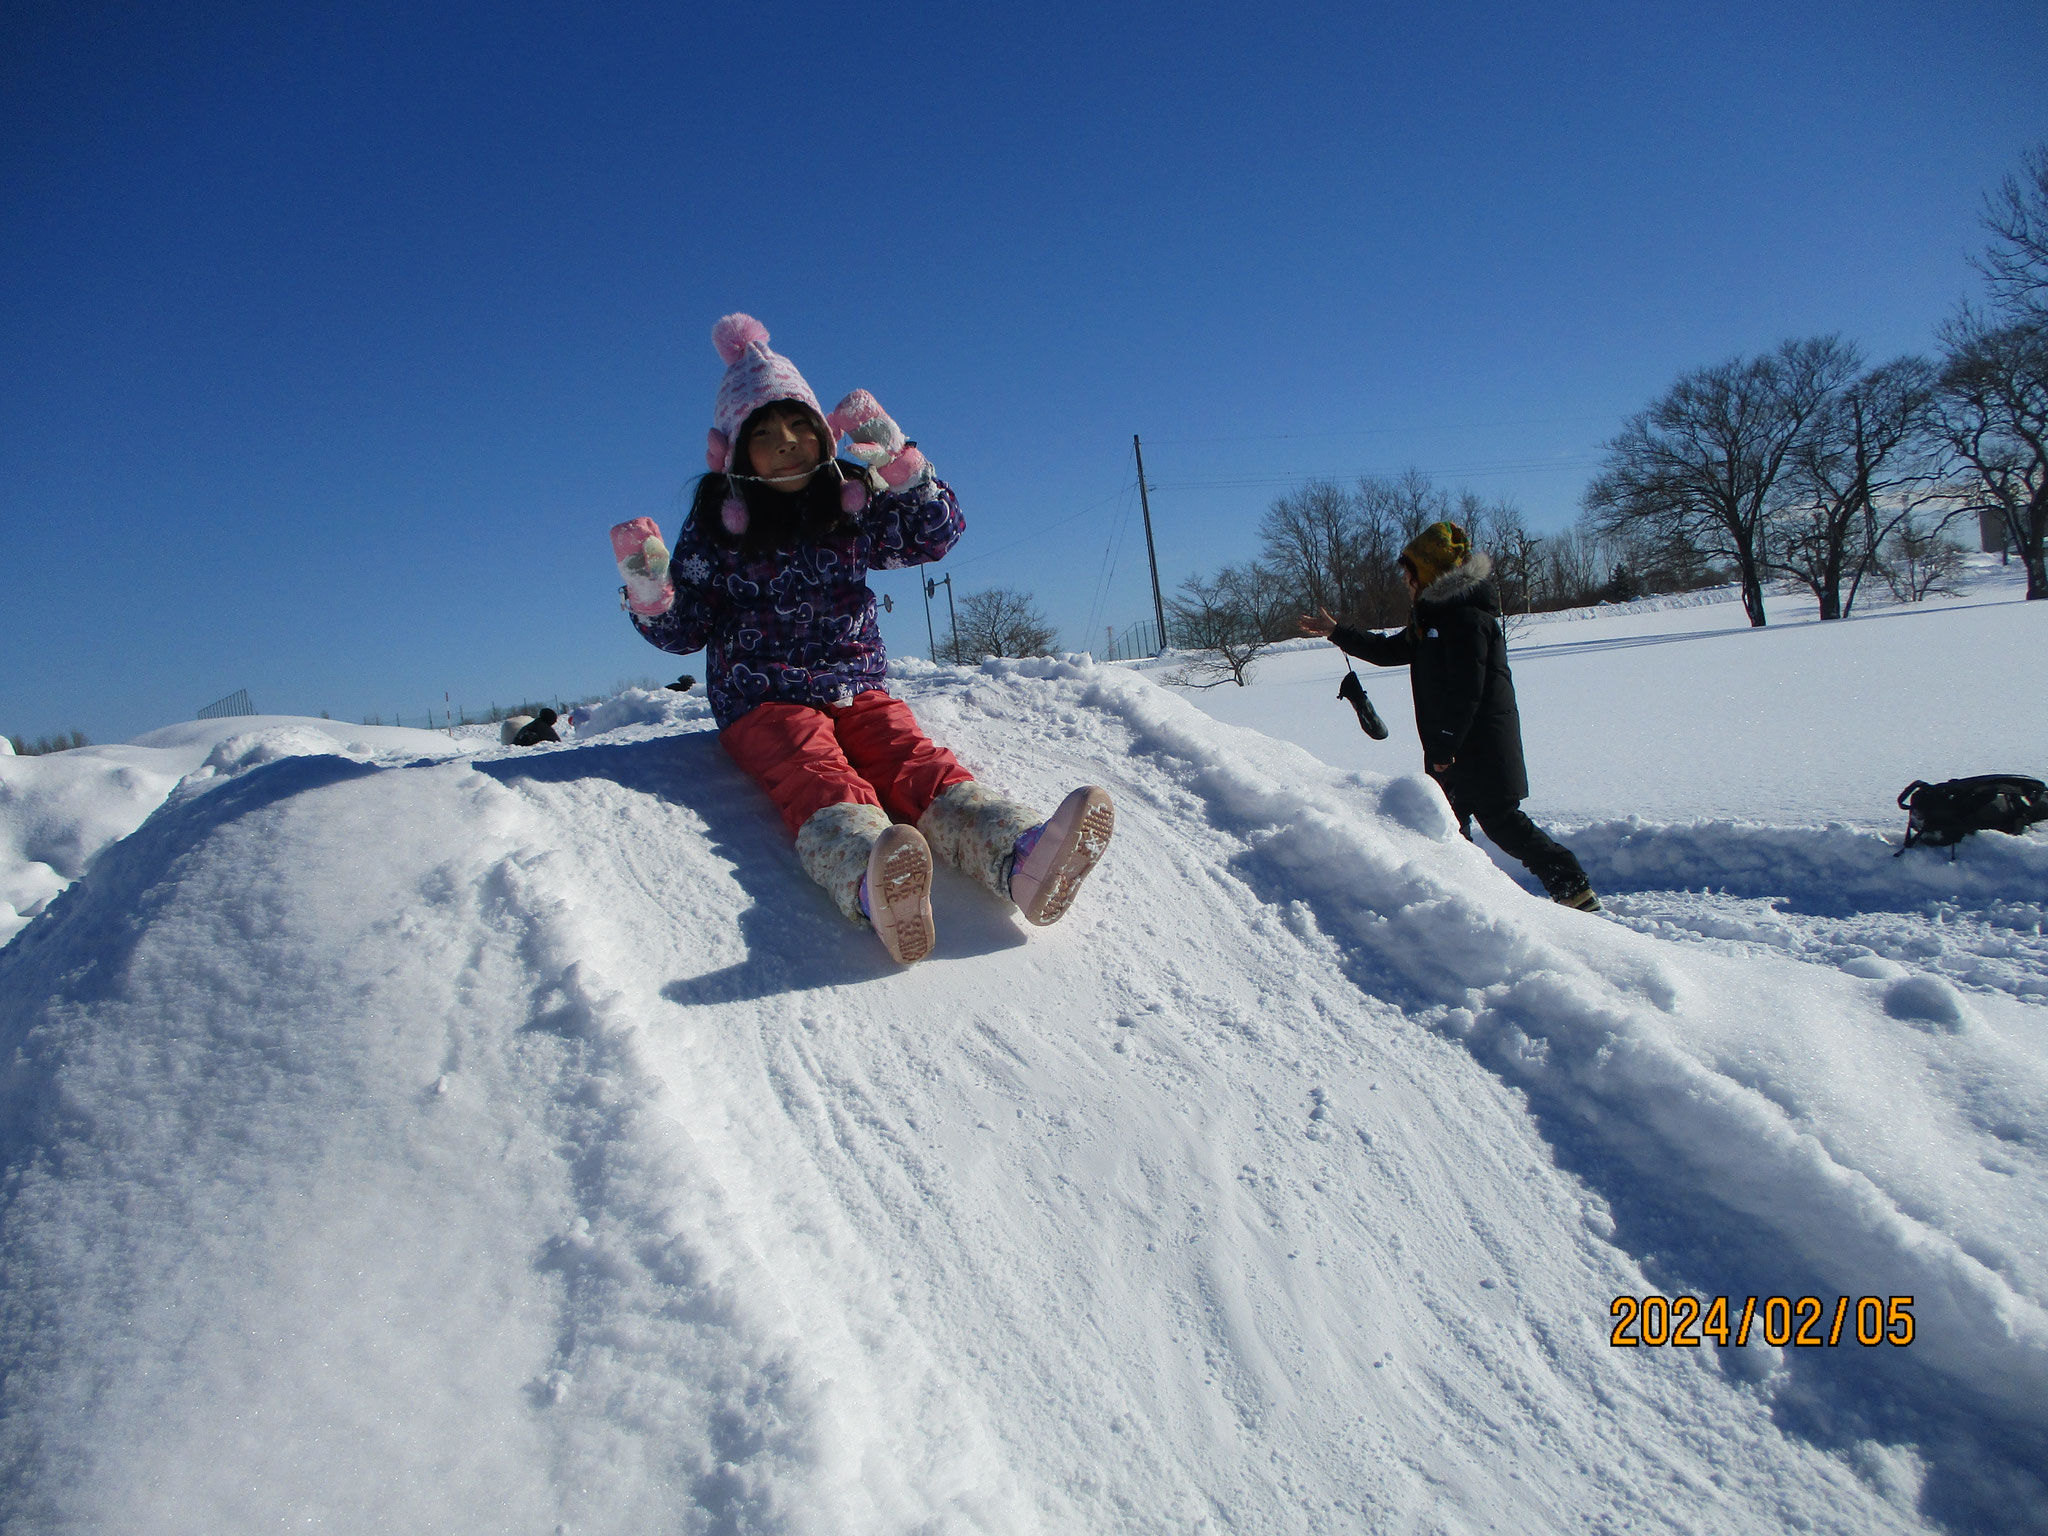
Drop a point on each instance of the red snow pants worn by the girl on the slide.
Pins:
(867, 753)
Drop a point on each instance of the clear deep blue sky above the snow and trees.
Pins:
(335, 337)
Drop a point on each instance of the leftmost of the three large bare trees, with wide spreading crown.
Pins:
(1705, 462)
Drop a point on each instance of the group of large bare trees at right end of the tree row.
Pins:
(1811, 466)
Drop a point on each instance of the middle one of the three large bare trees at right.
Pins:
(1865, 466)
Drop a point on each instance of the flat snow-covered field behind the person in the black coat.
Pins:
(1740, 787)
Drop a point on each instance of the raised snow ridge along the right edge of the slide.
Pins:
(1598, 1046)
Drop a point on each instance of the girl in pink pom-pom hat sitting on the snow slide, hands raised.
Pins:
(769, 579)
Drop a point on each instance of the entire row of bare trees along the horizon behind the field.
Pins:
(1801, 466)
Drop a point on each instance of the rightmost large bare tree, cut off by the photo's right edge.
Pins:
(1994, 413)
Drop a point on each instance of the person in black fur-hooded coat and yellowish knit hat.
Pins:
(1465, 701)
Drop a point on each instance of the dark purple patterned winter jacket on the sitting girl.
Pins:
(798, 626)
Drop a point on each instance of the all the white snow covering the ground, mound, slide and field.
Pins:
(411, 1134)
